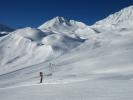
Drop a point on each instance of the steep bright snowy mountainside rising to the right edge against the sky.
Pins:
(120, 20)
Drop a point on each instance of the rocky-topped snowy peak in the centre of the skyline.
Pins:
(61, 25)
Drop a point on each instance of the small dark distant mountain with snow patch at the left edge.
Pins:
(4, 30)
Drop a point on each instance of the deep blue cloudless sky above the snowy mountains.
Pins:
(23, 13)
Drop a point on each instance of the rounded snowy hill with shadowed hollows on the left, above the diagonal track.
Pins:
(30, 46)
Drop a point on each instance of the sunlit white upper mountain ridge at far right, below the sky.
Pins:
(121, 18)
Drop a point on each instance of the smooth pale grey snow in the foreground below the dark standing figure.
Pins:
(84, 90)
